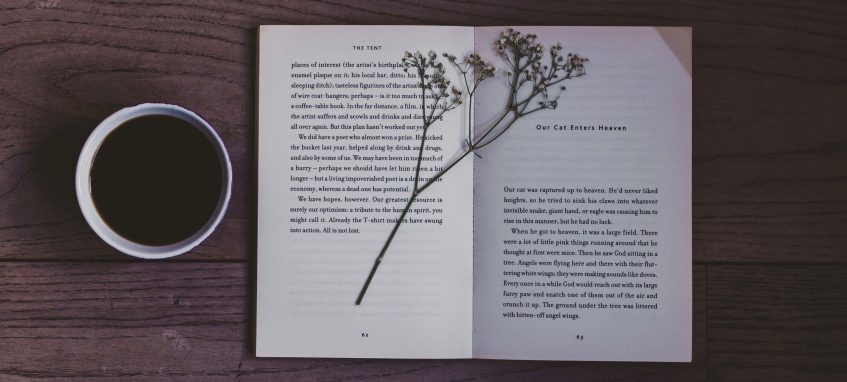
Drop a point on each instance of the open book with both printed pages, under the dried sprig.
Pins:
(567, 238)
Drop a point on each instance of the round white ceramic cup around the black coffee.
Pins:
(83, 183)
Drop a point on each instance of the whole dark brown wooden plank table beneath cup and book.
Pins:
(770, 189)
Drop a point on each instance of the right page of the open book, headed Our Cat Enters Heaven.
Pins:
(582, 213)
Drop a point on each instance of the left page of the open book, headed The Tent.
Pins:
(338, 134)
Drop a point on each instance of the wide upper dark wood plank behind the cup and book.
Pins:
(770, 167)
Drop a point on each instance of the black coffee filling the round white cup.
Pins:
(156, 180)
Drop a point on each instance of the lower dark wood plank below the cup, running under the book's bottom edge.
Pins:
(178, 321)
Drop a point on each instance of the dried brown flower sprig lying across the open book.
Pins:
(531, 82)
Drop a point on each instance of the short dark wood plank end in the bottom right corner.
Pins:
(777, 322)
